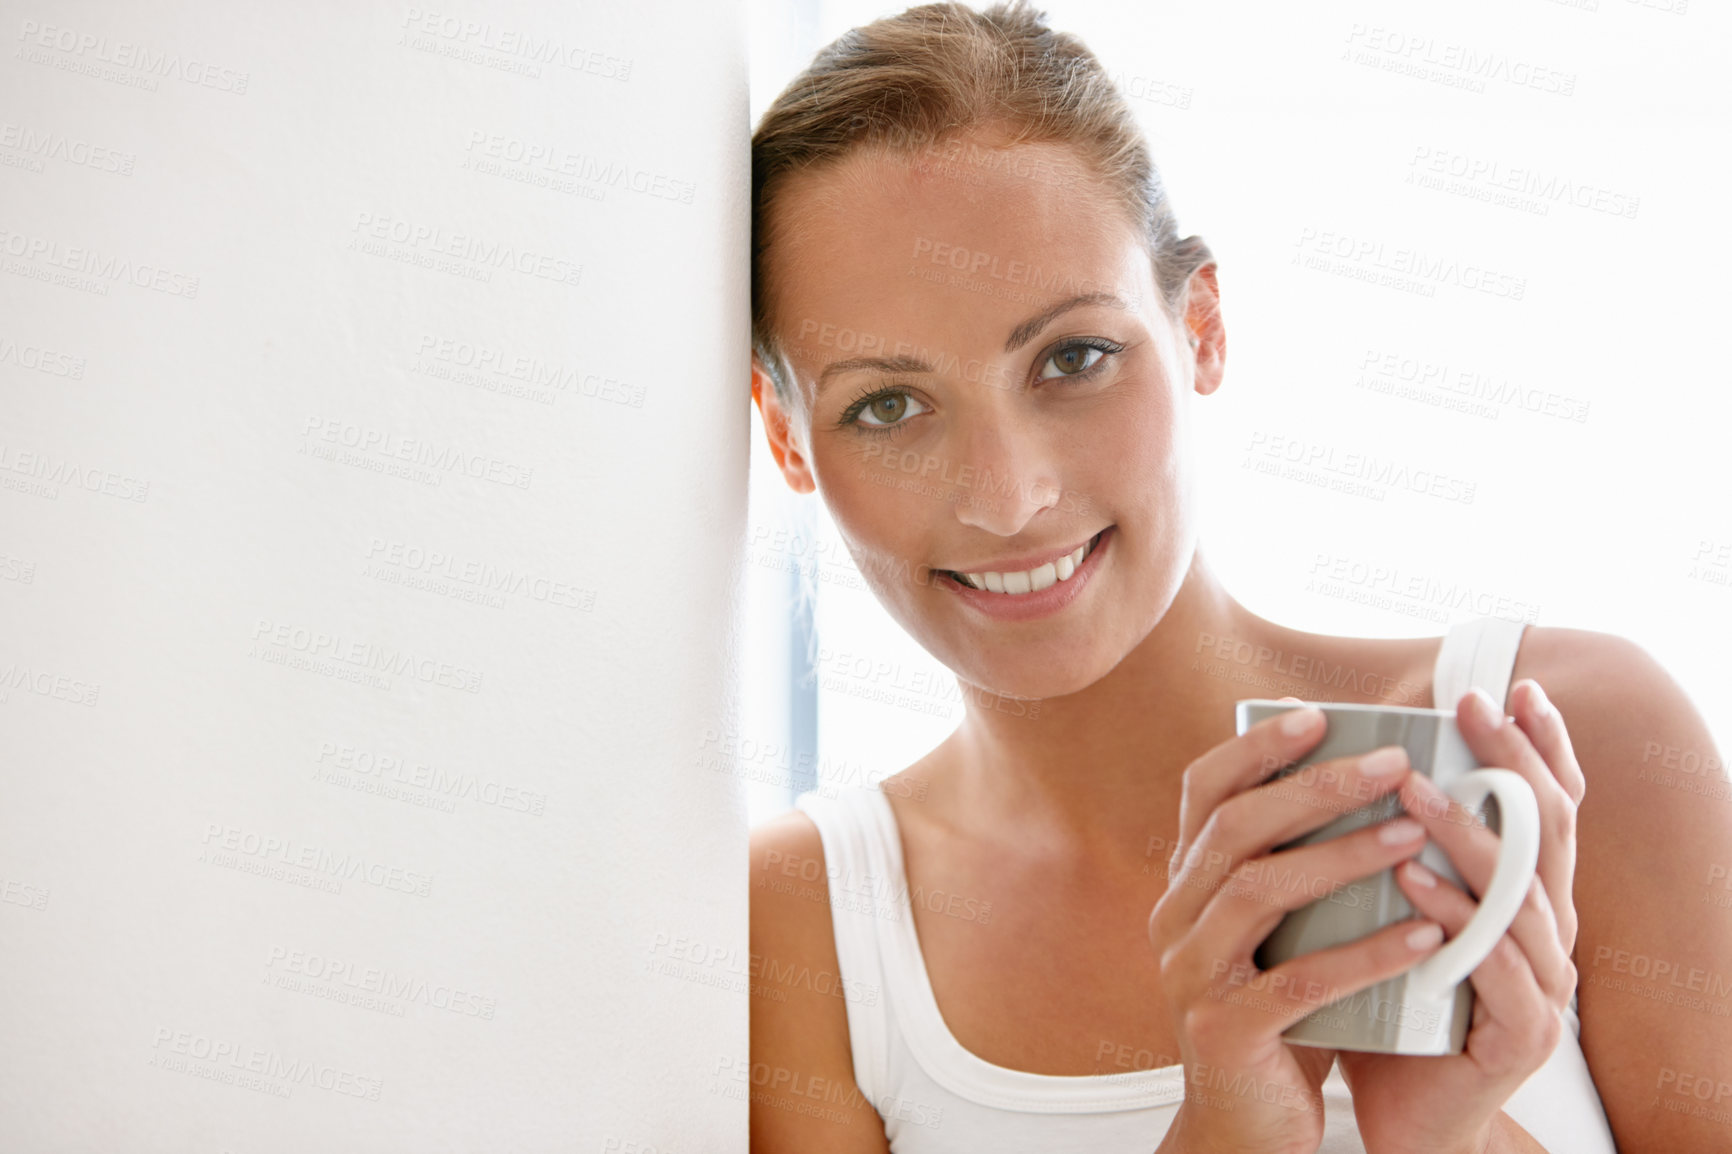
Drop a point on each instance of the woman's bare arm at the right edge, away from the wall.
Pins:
(1655, 850)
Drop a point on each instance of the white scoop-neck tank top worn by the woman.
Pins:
(936, 1098)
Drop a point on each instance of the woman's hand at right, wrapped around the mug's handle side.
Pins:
(1449, 1105)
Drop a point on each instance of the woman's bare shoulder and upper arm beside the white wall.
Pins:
(803, 1087)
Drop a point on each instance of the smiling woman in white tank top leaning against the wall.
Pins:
(979, 335)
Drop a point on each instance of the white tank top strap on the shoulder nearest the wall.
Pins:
(858, 869)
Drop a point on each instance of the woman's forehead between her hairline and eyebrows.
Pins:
(948, 254)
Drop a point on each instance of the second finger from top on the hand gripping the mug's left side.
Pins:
(1258, 820)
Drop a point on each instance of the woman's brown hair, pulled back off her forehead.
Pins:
(934, 74)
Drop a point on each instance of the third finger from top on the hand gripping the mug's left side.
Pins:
(1248, 905)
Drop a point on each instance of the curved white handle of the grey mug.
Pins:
(1518, 859)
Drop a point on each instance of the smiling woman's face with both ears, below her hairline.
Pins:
(964, 413)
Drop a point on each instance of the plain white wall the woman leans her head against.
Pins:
(352, 696)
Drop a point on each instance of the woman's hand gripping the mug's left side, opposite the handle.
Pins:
(1246, 1089)
